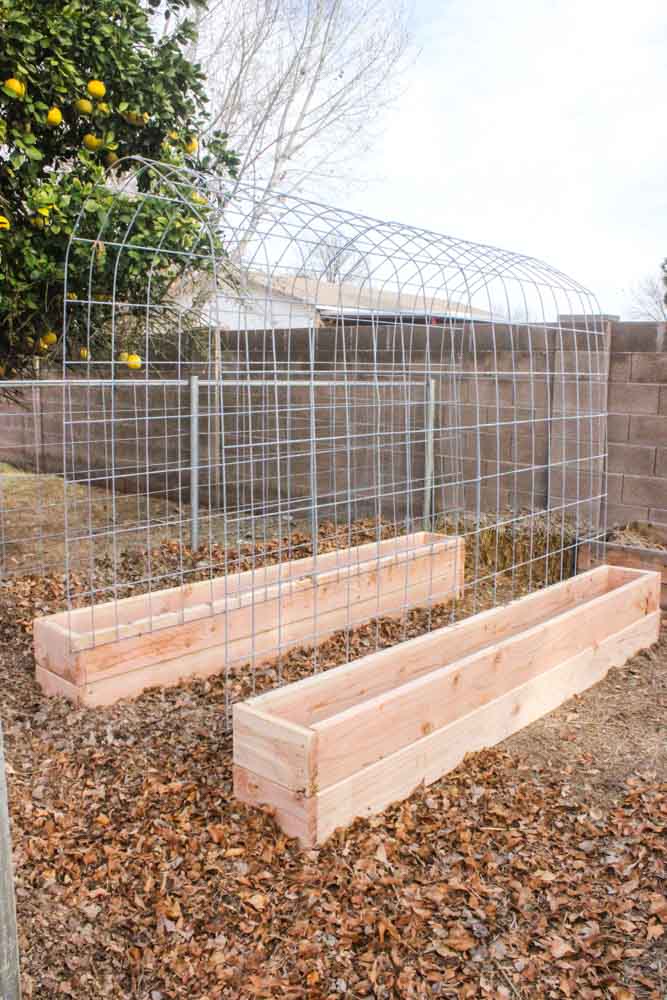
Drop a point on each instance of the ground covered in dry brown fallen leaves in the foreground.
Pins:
(538, 869)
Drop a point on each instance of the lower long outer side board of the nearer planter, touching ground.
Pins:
(395, 777)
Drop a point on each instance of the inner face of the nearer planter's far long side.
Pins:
(316, 698)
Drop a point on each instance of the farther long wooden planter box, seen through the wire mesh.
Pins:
(95, 656)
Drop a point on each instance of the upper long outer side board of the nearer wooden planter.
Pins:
(376, 727)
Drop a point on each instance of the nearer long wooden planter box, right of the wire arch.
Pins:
(349, 742)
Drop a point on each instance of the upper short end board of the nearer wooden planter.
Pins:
(275, 749)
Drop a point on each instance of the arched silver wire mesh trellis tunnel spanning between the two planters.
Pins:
(293, 434)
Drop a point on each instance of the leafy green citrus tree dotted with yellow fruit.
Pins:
(83, 85)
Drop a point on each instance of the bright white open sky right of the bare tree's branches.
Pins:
(539, 126)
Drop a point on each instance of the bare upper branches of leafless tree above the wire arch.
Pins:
(300, 85)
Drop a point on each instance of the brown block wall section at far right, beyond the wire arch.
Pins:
(637, 424)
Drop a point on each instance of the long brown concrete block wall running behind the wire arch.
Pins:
(540, 444)
